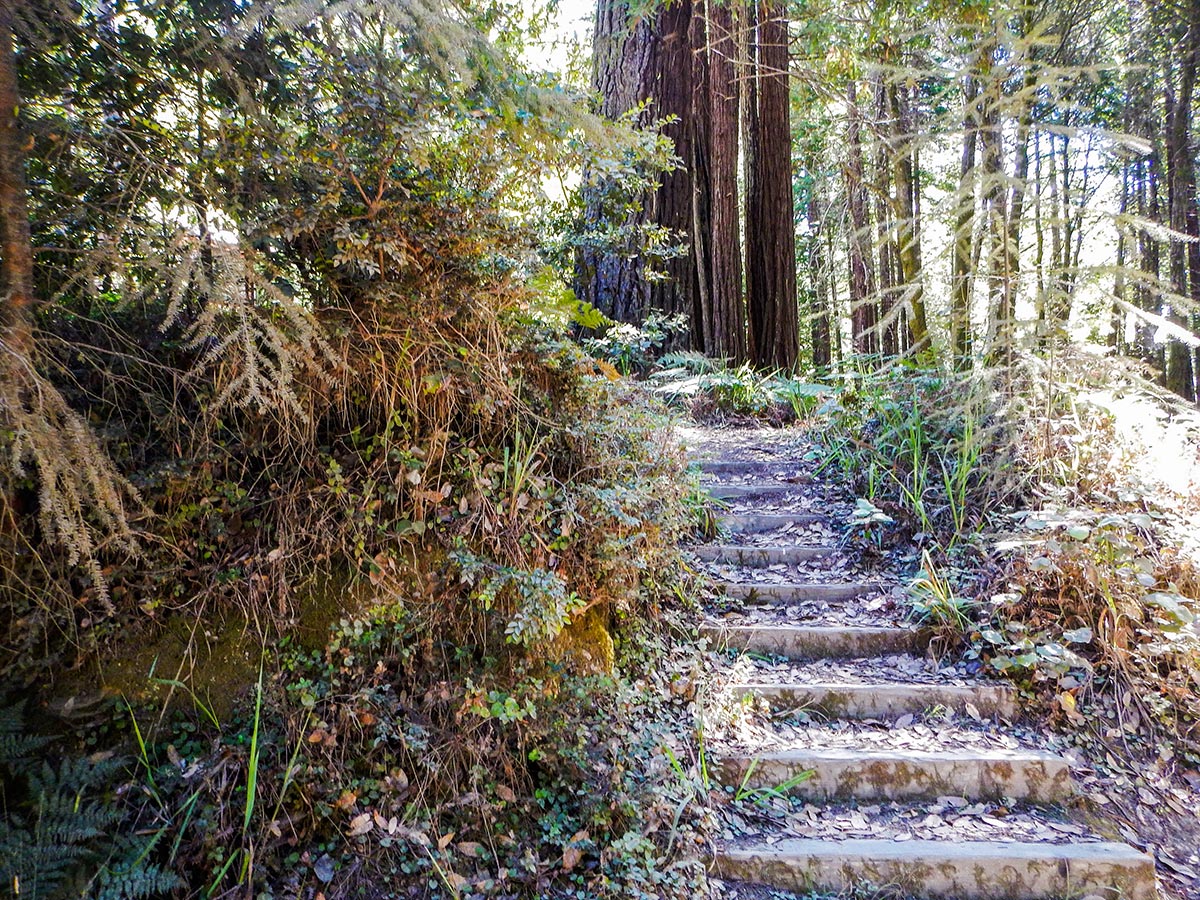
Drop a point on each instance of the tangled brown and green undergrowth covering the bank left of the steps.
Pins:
(405, 551)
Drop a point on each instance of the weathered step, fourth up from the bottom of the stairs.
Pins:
(808, 643)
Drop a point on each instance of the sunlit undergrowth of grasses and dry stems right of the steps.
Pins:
(1052, 502)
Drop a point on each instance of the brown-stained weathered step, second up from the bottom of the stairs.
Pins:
(863, 775)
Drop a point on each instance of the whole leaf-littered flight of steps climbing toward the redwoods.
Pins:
(922, 777)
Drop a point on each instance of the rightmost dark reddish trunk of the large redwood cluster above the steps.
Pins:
(771, 235)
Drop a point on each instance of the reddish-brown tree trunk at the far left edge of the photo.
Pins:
(16, 247)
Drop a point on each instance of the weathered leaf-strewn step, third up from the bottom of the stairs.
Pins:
(853, 700)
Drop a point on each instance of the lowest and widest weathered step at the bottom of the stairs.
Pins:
(970, 871)
